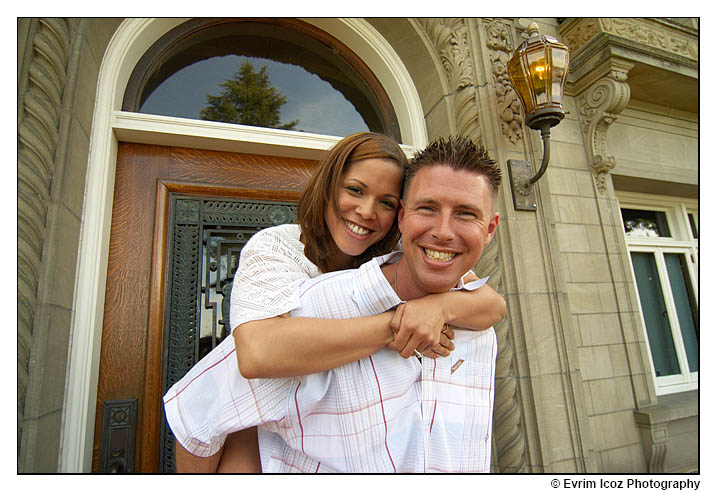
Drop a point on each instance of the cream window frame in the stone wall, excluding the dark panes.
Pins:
(680, 242)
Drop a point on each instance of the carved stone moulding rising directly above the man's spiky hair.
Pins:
(451, 40)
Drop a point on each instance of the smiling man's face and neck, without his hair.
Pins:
(446, 220)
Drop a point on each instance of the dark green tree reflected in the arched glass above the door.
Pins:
(248, 98)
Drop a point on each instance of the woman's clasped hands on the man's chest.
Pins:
(418, 325)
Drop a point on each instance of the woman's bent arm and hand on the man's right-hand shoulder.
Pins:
(418, 323)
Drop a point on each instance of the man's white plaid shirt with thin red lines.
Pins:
(382, 413)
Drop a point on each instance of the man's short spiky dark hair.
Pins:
(459, 153)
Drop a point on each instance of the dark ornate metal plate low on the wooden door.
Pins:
(119, 427)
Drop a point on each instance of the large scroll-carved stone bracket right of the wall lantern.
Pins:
(598, 107)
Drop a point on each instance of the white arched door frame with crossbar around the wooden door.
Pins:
(132, 38)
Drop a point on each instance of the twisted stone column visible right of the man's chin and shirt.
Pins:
(508, 434)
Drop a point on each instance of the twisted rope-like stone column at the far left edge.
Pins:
(38, 136)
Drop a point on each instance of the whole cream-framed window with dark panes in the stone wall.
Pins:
(662, 238)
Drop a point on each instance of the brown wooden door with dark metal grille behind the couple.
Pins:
(154, 186)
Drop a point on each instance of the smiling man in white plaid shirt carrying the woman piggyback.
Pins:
(385, 413)
